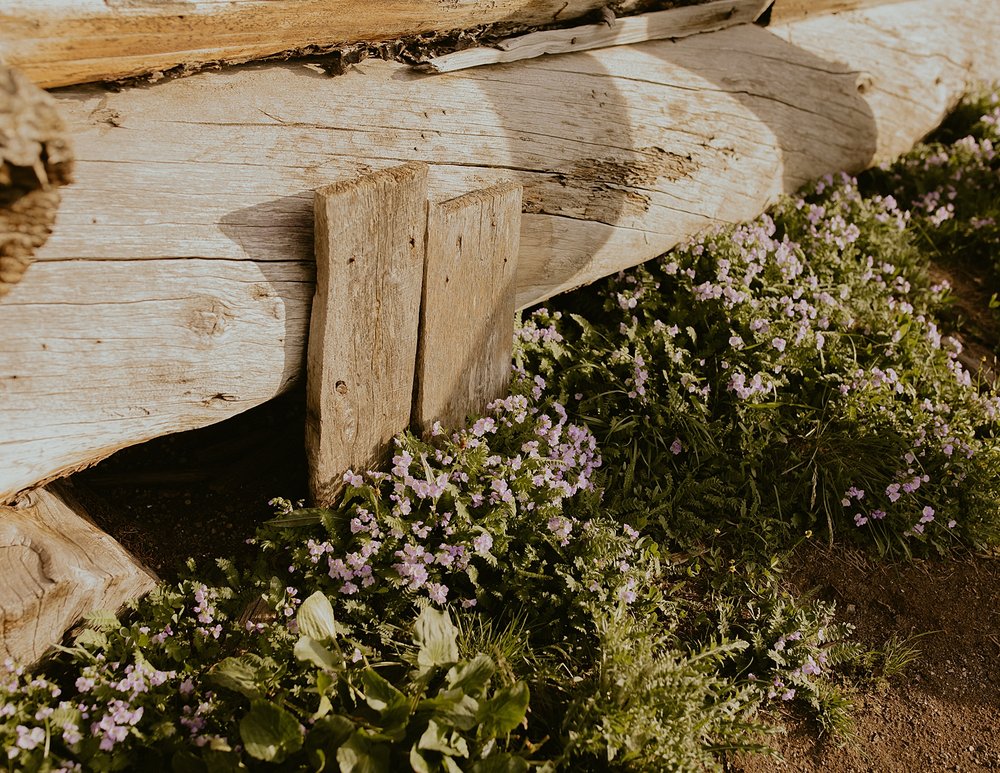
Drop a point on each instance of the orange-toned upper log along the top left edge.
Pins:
(61, 42)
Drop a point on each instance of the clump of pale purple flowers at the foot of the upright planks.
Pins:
(423, 524)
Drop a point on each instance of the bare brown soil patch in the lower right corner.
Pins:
(943, 712)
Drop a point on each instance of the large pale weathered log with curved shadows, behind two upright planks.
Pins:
(175, 289)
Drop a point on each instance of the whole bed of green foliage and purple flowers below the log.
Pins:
(587, 577)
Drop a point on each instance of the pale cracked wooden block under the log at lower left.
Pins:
(57, 566)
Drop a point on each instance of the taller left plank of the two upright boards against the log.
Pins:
(363, 333)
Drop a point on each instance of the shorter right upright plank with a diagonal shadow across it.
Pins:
(467, 316)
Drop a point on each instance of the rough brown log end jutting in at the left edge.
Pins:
(35, 158)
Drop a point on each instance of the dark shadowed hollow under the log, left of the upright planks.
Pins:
(199, 494)
